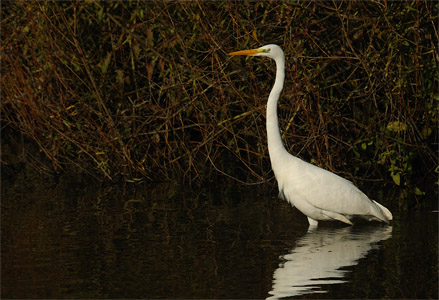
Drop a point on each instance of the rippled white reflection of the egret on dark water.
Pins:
(319, 256)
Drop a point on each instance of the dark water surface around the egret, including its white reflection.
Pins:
(78, 241)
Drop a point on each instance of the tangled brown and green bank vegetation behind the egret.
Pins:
(144, 91)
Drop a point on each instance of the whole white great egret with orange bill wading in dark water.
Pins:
(317, 193)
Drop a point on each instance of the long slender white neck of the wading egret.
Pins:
(276, 148)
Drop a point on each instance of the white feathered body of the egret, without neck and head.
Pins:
(322, 195)
